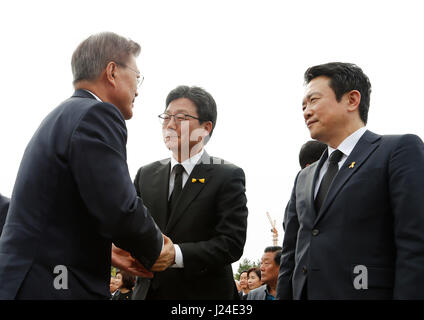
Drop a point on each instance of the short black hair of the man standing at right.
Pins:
(344, 77)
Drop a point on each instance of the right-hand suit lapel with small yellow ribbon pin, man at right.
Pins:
(360, 153)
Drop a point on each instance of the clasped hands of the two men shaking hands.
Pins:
(124, 261)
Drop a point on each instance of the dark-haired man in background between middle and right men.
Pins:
(270, 265)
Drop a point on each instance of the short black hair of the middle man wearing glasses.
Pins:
(203, 100)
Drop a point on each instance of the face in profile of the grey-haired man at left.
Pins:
(126, 90)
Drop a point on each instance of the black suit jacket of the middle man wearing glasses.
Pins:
(209, 224)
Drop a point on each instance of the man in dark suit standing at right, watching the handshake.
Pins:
(354, 226)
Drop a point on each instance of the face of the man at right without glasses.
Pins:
(324, 116)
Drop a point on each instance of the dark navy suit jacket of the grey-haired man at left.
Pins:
(72, 198)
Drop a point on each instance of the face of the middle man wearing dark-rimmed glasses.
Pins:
(181, 137)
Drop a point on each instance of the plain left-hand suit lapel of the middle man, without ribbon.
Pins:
(159, 188)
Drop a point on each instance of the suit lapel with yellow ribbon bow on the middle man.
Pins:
(190, 191)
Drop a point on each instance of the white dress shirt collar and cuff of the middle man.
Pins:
(188, 168)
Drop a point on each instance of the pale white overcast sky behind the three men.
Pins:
(250, 55)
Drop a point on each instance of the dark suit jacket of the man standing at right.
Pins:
(373, 216)
